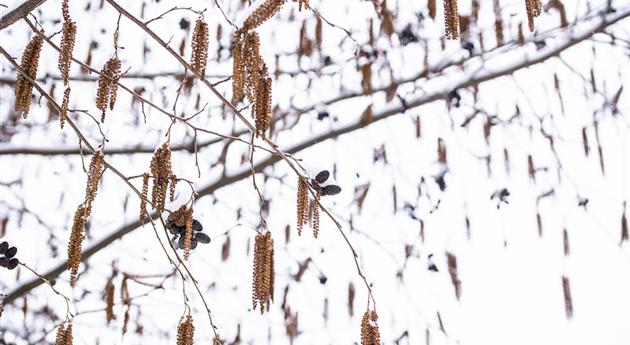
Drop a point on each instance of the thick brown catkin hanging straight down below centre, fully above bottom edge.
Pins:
(263, 272)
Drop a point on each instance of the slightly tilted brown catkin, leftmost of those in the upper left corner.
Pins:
(23, 87)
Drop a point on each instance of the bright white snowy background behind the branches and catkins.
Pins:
(511, 278)
